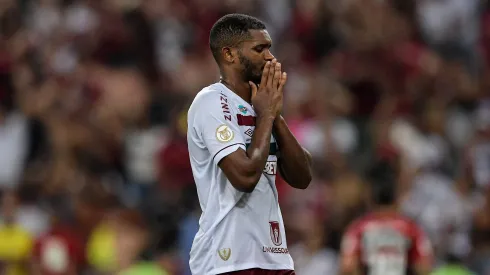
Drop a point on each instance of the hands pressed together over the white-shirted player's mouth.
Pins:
(267, 98)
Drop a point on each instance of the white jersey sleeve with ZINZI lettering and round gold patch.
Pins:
(218, 126)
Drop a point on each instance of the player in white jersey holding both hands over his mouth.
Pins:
(238, 141)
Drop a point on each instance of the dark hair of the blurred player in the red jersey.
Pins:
(382, 177)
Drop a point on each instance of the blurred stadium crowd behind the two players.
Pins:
(94, 168)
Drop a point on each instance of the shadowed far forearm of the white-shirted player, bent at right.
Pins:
(292, 156)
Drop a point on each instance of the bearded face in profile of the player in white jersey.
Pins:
(253, 54)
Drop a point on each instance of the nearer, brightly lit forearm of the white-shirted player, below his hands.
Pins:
(258, 151)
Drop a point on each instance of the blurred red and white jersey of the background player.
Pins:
(385, 245)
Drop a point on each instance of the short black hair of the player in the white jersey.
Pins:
(230, 30)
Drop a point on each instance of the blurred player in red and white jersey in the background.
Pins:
(384, 242)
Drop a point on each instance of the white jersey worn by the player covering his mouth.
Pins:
(237, 230)
